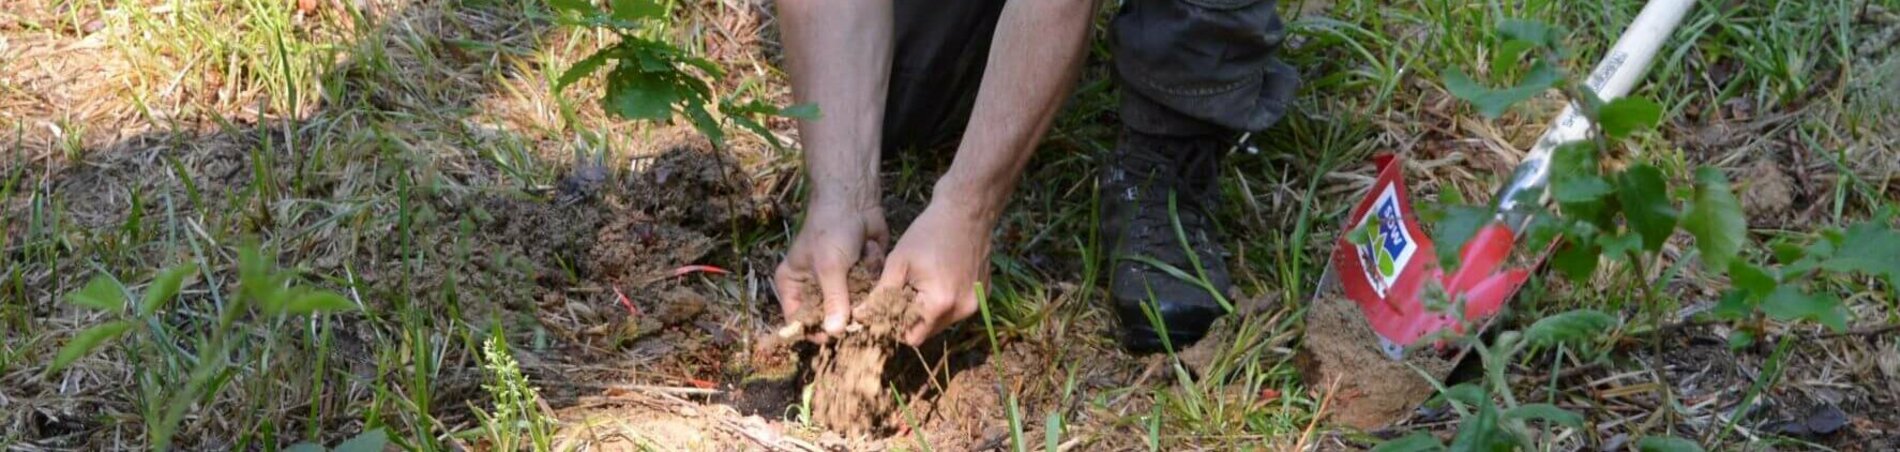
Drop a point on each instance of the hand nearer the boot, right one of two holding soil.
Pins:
(943, 257)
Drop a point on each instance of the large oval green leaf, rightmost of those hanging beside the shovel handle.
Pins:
(1715, 219)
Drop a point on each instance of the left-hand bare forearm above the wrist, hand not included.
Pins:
(839, 56)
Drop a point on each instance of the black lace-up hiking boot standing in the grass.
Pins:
(1139, 227)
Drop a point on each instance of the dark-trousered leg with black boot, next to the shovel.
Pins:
(1194, 75)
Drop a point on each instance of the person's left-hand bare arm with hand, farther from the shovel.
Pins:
(839, 54)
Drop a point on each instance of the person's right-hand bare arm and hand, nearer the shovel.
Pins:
(1033, 67)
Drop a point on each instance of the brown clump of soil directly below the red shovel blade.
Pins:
(1371, 390)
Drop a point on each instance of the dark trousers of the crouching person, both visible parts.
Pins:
(1187, 67)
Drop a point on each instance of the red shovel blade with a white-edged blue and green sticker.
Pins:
(1388, 276)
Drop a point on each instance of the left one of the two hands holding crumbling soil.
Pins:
(833, 240)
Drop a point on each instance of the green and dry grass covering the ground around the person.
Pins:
(358, 145)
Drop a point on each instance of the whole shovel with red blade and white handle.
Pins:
(1390, 274)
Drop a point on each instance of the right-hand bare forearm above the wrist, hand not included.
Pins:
(1033, 67)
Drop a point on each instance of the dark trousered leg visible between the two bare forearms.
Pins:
(936, 69)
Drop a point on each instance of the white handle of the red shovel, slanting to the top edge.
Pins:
(1614, 77)
